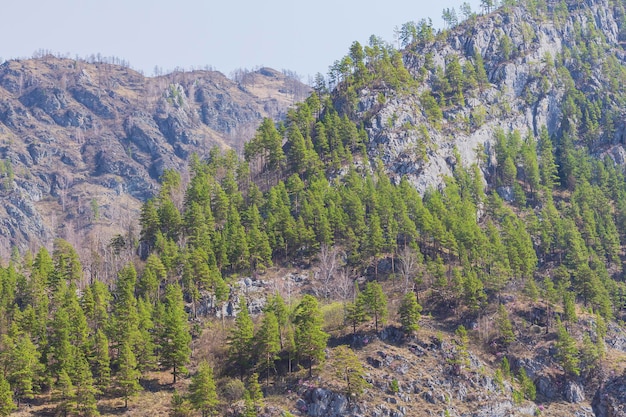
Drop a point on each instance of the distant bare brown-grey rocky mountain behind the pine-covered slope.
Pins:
(83, 144)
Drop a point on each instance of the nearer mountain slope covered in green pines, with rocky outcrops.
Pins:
(514, 260)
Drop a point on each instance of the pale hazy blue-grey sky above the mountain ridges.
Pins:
(306, 37)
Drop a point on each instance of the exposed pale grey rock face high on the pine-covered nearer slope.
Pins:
(522, 94)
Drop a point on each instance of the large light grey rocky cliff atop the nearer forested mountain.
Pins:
(535, 59)
